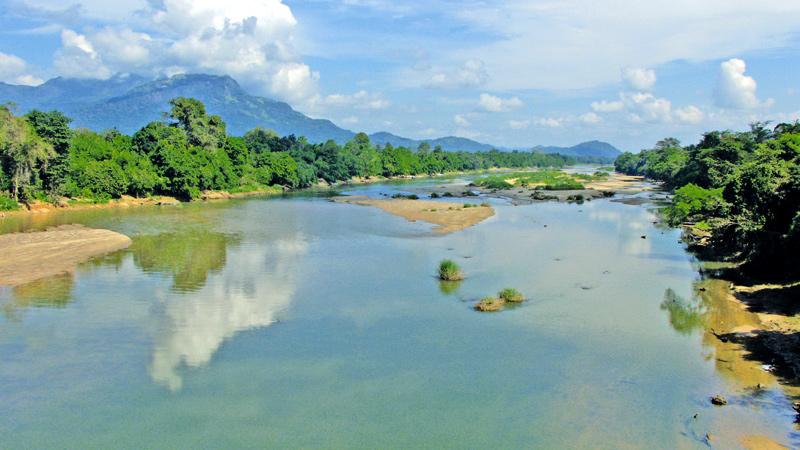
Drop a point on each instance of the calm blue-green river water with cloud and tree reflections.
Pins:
(297, 322)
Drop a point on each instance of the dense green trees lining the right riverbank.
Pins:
(741, 191)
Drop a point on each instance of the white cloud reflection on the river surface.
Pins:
(247, 294)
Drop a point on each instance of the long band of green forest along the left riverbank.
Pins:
(42, 158)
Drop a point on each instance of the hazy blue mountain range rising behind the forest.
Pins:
(128, 102)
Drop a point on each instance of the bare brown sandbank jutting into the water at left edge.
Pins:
(25, 257)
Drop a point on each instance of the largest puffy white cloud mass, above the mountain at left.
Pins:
(252, 41)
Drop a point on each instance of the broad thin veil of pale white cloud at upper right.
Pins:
(596, 38)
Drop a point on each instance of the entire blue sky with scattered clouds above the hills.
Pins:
(512, 73)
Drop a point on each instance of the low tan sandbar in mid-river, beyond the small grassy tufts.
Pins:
(448, 216)
